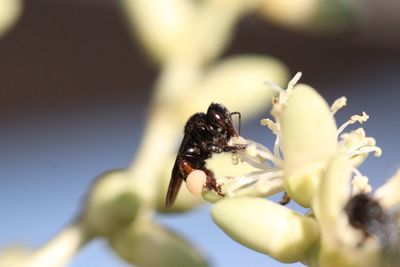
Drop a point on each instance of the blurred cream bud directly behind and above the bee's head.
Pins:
(237, 83)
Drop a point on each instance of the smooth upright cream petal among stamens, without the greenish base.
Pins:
(308, 129)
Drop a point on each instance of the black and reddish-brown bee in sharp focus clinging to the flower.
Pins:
(204, 135)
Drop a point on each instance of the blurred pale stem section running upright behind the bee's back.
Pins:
(163, 126)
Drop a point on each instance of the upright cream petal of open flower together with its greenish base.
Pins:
(308, 140)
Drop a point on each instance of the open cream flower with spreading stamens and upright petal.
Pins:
(306, 138)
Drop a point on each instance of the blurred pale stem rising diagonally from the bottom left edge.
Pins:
(61, 249)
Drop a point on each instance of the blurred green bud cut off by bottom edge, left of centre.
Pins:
(148, 244)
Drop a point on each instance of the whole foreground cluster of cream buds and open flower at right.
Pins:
(315, 163)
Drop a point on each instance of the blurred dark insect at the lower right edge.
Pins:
(366, 214)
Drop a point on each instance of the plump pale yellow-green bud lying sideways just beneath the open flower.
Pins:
(266, 227)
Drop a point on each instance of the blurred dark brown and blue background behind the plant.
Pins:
(76, 84)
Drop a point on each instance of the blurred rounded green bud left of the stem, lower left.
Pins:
(111, 204)
